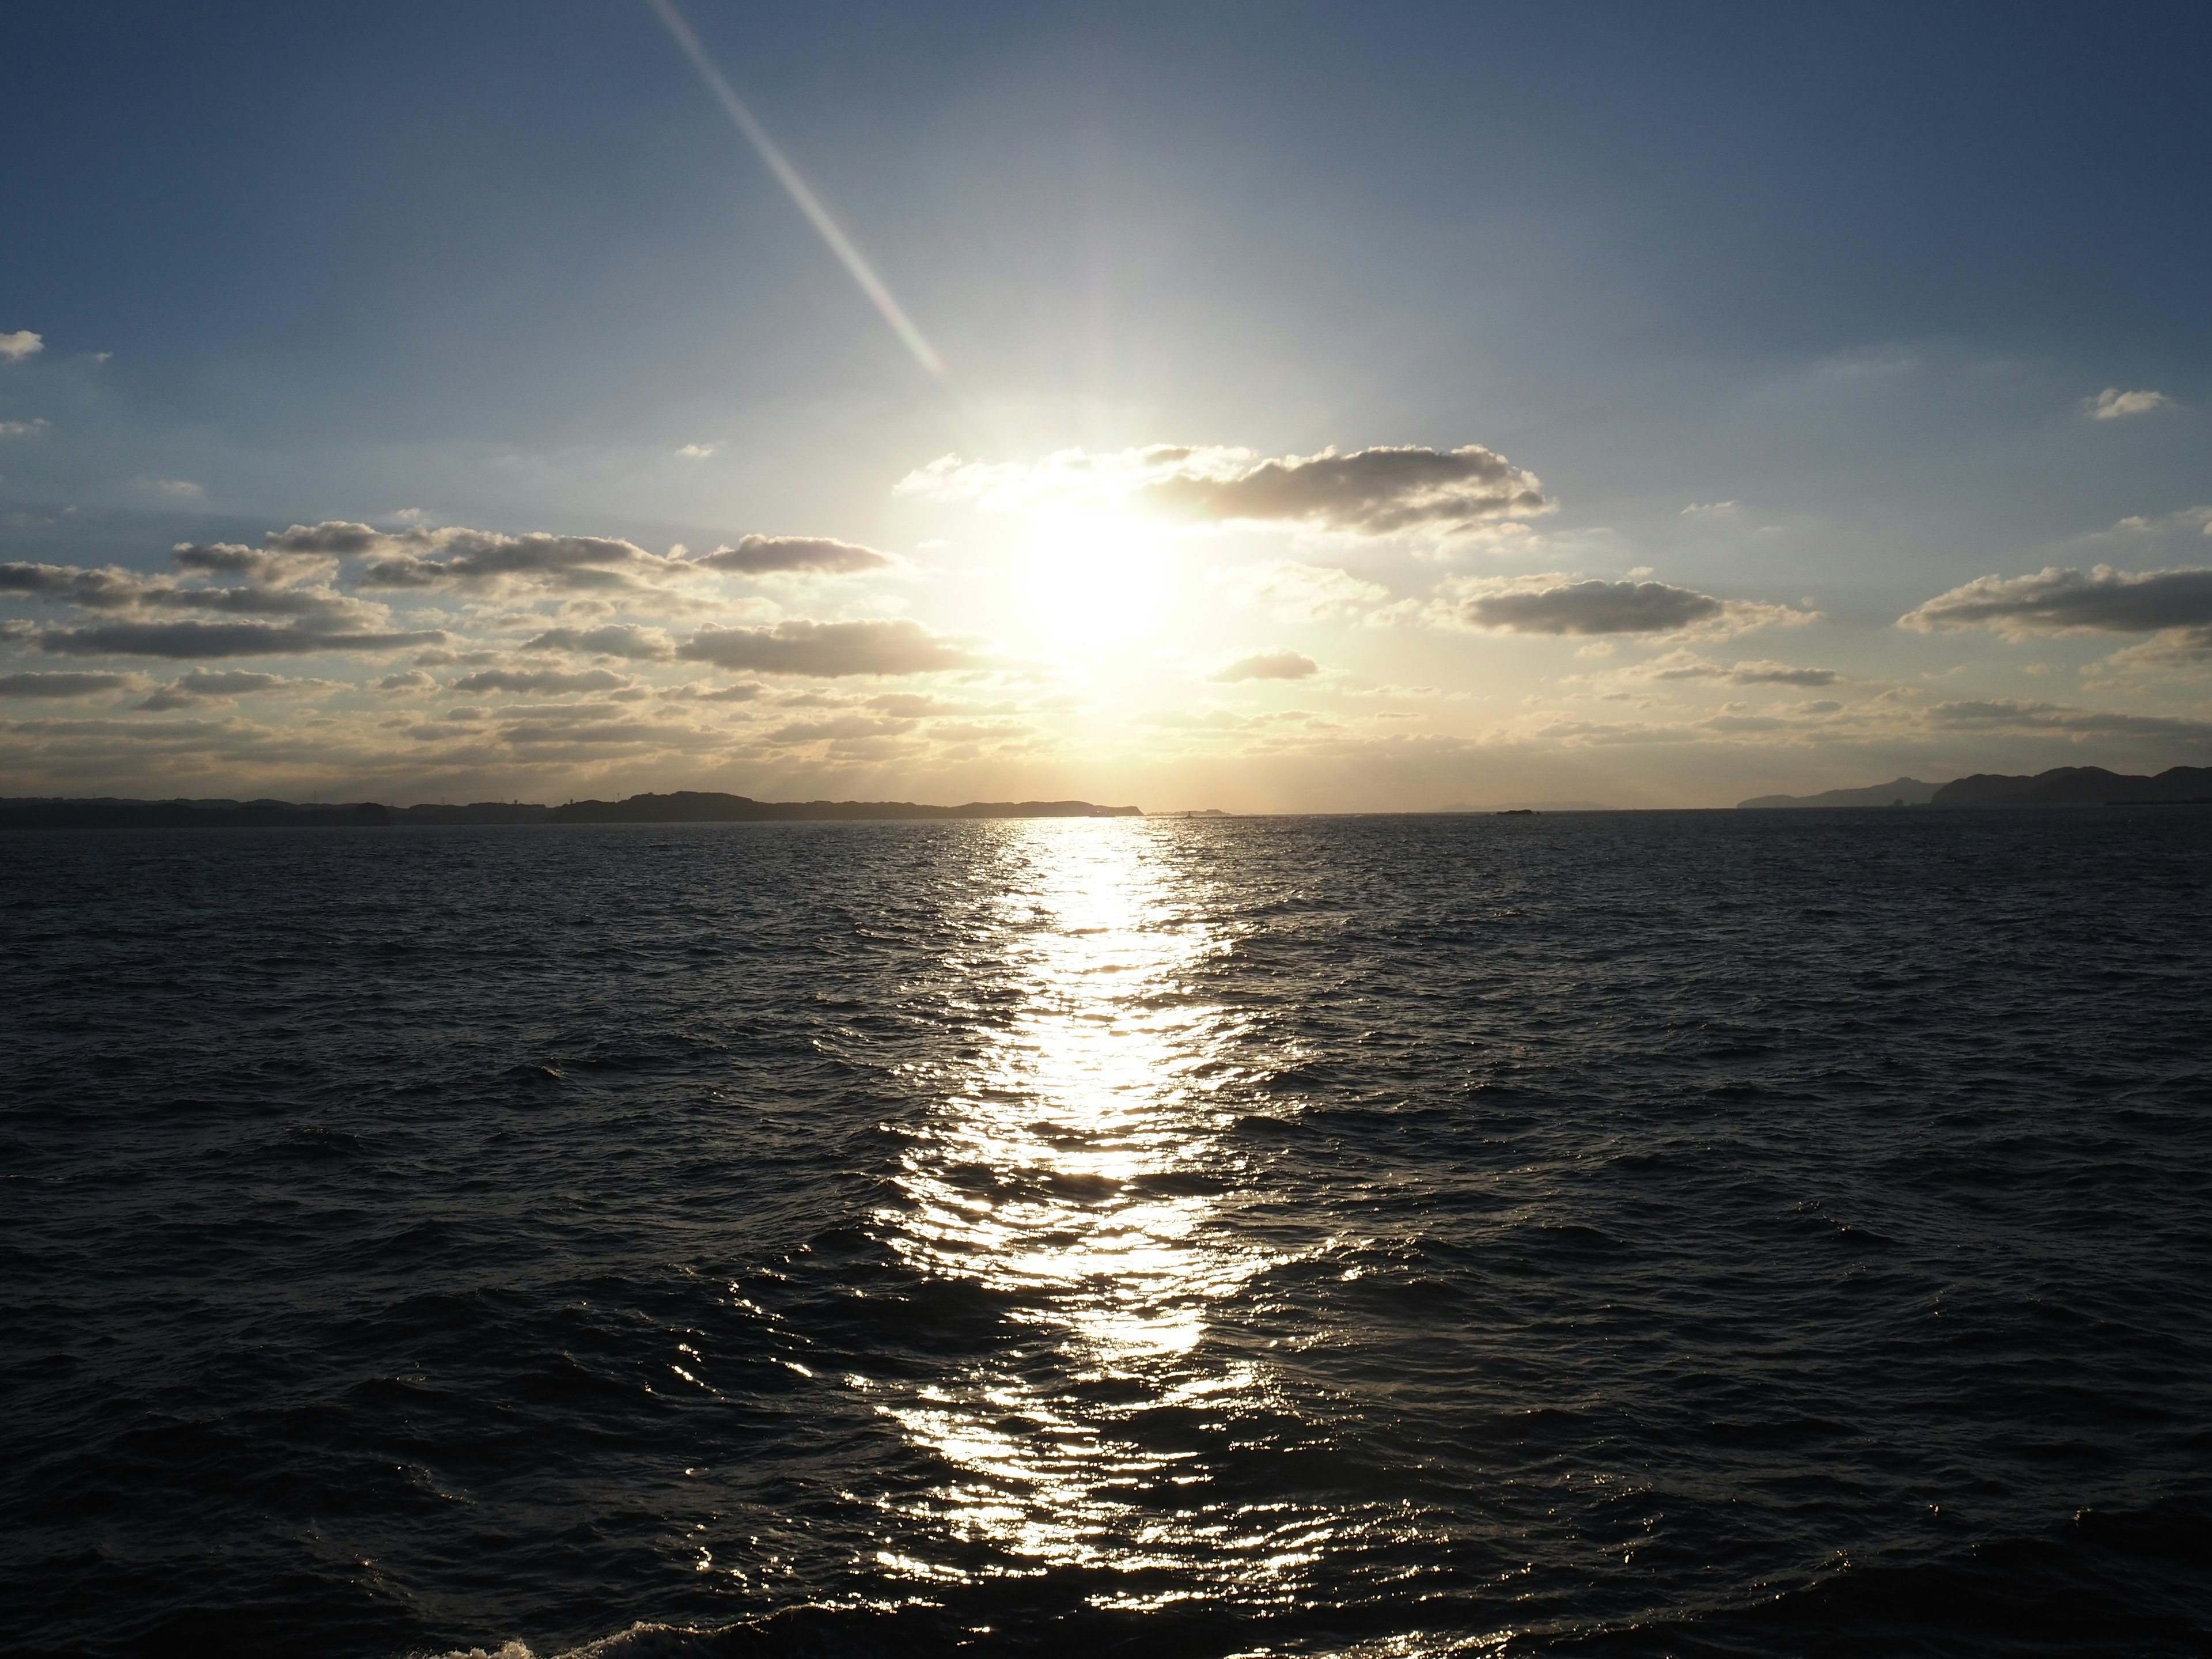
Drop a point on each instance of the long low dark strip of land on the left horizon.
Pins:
(682, 806)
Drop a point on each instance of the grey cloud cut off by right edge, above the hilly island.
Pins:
(2171, 605)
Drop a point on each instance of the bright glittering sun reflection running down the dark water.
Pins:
(1076, 1171)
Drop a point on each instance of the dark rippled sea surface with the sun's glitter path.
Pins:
(1623, 1235)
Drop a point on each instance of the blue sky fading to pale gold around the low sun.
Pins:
(1799, 313)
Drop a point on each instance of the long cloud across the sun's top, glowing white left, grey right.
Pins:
(1368, 492)
